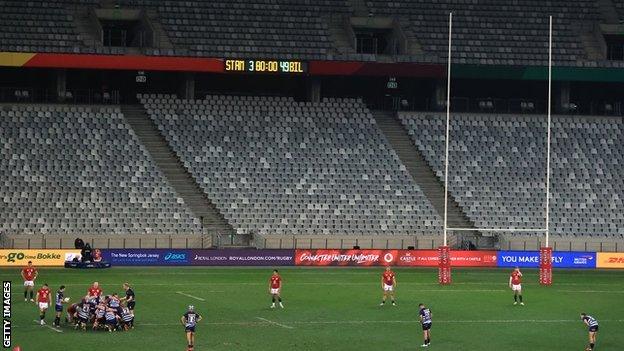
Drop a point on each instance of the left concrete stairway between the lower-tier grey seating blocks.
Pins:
(172, 168)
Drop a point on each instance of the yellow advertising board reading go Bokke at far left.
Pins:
(40, 257)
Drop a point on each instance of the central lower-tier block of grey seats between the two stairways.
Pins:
(277, 166)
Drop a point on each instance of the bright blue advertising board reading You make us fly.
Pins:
(561, 259)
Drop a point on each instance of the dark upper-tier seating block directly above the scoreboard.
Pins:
(286, 29)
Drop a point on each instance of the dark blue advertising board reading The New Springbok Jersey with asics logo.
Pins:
(147, 257)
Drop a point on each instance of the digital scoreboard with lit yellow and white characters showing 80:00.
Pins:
(266, 66)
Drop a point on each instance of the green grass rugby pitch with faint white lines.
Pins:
(335, 309)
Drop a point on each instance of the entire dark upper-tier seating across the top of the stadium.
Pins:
(485, 32)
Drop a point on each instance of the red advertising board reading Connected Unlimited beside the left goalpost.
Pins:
(406, 258)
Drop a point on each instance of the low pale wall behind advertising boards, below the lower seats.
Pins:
(193, 241)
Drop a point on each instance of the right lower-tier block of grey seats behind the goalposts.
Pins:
(497, 169)
